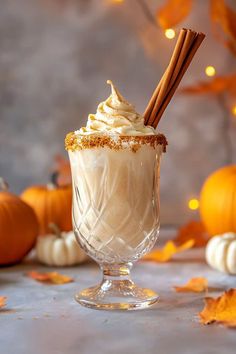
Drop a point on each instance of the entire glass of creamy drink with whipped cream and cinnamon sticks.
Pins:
(115, 163)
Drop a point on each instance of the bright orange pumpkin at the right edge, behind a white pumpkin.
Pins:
(218, 201)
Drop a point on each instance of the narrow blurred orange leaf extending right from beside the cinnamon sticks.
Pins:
(215, 86)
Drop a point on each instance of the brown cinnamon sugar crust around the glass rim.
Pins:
(75, 142)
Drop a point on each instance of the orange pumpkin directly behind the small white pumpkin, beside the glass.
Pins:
(52, 204)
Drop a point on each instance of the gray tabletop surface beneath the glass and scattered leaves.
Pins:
(46, 319)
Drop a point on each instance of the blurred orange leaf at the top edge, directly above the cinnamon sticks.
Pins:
(173, 12)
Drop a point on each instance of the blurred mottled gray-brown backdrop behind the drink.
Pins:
(55, 58)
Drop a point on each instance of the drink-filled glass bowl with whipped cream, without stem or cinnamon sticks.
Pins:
(115, 170)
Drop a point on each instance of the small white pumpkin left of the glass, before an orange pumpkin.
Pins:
(59, 249)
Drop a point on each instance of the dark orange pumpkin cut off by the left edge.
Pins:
(18, 227)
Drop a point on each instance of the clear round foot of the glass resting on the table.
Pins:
(117, 295)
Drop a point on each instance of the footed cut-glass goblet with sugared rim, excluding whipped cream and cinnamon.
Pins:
(116, 212)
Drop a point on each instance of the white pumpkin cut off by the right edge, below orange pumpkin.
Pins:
(221, 252)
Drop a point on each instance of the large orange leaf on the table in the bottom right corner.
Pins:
(221, 309)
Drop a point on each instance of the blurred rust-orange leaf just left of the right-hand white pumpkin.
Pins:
(193, 230)
